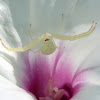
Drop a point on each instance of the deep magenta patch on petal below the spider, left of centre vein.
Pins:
(40, 75)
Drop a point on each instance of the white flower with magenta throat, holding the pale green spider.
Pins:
(71, 73)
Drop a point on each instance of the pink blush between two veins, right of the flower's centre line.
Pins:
(63, 73)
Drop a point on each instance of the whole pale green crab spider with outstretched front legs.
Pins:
(48, 46)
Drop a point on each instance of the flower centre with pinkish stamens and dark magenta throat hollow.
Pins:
(53, 93)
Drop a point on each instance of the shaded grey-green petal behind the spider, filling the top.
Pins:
(45, 16)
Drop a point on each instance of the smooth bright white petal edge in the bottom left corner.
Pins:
(9, 91)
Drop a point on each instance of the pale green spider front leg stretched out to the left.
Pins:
(25, 48)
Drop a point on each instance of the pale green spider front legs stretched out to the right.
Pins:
(71, 38)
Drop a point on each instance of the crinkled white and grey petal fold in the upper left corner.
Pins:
(8, 33)
